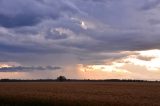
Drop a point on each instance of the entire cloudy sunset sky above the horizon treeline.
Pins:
(80, 39)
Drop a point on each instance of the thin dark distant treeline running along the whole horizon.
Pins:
(73, 80)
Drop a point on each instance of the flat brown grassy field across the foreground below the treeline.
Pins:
(79, 94)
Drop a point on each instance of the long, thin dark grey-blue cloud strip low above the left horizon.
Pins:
(28, 69)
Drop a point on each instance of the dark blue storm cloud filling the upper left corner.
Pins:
(31, 12)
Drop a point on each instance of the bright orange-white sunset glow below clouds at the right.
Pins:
(144, 64)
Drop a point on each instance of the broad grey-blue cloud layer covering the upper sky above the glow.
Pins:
(77, 27)
